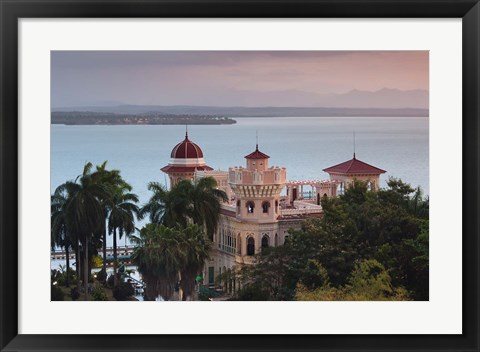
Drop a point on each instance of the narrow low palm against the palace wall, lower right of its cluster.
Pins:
(197, 251)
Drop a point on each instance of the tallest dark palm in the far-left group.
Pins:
(84, 212)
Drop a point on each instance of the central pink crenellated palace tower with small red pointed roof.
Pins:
(257, 188)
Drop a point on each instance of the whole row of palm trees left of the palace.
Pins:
(172, 247)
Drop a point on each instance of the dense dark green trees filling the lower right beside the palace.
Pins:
(368, 246)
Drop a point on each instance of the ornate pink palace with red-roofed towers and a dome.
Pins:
(257, 214)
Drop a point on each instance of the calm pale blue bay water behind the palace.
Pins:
(304, 145)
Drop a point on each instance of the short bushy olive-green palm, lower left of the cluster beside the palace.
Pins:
(159, 255)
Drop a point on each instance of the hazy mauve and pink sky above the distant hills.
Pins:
(228, 78)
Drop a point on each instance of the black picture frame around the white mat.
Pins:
(11, 11)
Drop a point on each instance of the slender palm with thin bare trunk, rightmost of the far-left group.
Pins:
(122, 209)
